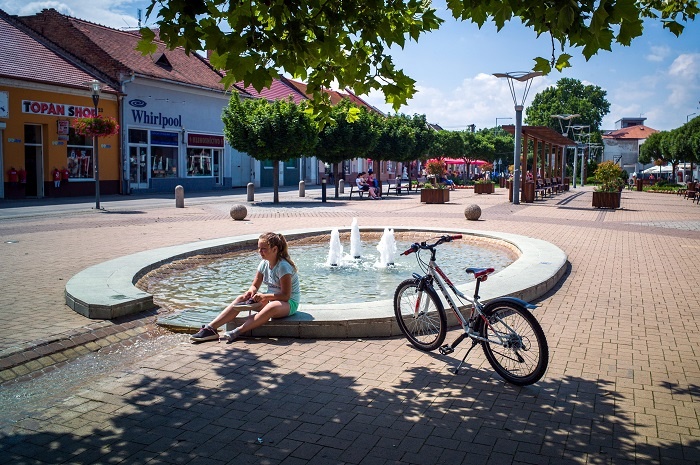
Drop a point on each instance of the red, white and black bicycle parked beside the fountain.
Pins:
(511, 337)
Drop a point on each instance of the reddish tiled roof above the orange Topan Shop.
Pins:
(23, 56)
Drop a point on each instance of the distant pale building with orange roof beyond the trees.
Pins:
(622, 144)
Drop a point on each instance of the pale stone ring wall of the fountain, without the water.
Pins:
(108, 290)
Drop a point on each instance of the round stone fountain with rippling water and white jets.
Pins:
(341, 301)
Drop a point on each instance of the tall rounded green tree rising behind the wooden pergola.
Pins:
(569, 96)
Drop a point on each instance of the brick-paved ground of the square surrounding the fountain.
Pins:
(623, 385)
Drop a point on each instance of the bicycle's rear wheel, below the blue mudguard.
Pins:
(515, 344)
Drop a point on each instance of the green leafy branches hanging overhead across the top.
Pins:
(346, 41)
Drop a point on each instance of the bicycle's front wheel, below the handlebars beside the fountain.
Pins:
(423, 321)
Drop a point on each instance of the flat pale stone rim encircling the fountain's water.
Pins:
(107, 290)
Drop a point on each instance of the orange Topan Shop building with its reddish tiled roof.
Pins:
(41, 93)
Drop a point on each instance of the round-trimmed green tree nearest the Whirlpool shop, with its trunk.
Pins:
(277, 131)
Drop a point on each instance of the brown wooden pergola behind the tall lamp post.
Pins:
(549, 150)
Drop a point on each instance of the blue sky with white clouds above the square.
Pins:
(657, 77)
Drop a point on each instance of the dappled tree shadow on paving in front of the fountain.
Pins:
(245, 407)
